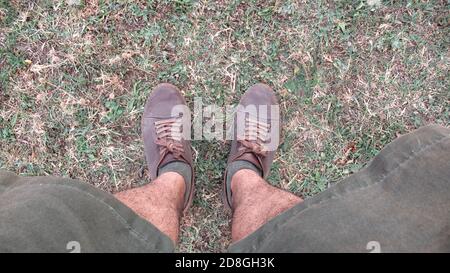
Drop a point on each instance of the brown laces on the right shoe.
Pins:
(255, 135)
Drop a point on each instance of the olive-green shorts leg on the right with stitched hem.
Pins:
(399, 203)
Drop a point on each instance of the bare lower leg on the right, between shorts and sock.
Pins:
(255, 202)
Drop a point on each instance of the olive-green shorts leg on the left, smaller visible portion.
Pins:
(50, 214)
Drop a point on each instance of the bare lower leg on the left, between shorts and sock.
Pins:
(160, 202)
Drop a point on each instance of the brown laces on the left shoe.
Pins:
(169, 136)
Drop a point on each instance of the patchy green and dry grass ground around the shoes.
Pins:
(351, 76)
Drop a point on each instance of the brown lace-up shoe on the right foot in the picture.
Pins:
(255, 133)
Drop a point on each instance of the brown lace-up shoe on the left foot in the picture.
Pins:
(166, 130)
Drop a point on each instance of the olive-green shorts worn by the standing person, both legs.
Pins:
(399, 203)
